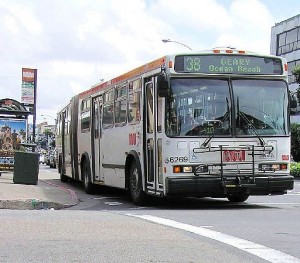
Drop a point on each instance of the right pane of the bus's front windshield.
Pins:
(261, 107)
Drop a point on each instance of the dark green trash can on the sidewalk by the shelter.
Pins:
(26, 168)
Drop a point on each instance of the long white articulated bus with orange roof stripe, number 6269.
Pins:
(206, 124)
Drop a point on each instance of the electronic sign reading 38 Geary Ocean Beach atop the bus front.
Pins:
(228, 64)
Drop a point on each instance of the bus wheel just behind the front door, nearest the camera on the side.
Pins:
(137, 194)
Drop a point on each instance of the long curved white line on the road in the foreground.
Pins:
(266, 253)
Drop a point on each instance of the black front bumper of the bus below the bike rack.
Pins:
(215, 186)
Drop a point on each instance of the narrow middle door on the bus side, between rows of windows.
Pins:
(96, 140)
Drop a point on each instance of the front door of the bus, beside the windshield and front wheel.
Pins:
(153, 139)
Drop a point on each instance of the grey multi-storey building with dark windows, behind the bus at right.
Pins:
(285, 42)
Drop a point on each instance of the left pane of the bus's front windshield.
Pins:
(198, 107)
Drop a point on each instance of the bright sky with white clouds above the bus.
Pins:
(75, 43)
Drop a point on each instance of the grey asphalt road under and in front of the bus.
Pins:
(107, 227)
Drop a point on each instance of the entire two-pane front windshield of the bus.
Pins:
(204, 107)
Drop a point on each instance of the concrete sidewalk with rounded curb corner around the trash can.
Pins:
(45, 195)
